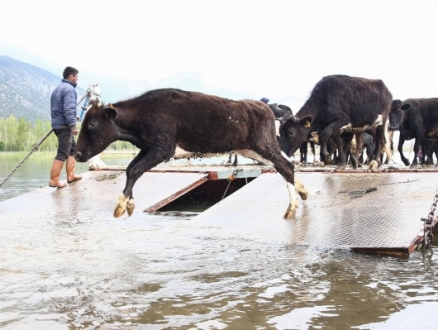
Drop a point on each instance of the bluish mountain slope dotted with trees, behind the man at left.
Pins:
(25, 90)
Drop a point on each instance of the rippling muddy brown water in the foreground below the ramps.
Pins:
(156, 271)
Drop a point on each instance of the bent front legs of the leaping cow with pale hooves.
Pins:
(144, 161)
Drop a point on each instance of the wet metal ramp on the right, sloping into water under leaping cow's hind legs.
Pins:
(363, 212)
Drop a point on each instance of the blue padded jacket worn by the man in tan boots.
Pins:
(63, 105)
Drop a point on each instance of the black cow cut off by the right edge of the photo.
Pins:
(416, 119)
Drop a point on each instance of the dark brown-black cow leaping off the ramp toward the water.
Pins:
(159, 120)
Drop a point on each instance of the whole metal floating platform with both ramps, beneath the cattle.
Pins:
(355, 210)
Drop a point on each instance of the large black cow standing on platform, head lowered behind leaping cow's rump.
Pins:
(339, 106)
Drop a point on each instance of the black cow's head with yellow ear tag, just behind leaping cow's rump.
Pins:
(293, 132)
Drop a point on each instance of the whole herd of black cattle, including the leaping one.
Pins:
(340, 109)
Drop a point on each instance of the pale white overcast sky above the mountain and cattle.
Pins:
(277, 49)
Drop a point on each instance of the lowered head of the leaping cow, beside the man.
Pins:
(98, 131)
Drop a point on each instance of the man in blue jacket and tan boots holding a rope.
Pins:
(63, 107)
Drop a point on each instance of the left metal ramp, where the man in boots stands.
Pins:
(99, 194)
